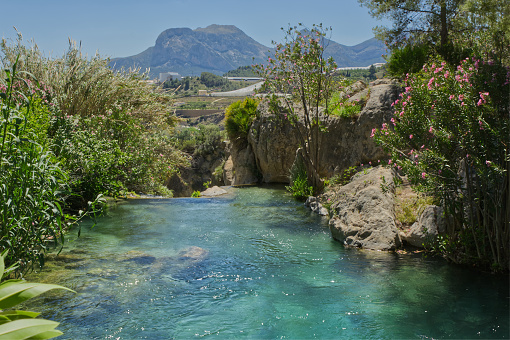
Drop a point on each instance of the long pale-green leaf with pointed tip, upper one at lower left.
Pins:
(13, 292)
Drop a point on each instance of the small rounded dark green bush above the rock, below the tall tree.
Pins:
(408, 59)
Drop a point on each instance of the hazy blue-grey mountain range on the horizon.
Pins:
(221, 48)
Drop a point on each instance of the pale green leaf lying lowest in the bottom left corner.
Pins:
(29, 328)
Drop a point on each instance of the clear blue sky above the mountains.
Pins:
(118, 28)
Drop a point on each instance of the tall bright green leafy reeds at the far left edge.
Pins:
(33, 187)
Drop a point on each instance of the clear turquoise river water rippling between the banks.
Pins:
(258, 265)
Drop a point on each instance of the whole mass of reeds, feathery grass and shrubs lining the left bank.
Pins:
(73, 130)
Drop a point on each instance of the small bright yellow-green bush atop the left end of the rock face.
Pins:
(239, 116)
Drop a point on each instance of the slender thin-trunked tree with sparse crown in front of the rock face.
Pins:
(298, 74)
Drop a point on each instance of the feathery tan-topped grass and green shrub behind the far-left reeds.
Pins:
(110, 130)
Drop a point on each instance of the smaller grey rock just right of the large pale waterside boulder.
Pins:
(430, 224)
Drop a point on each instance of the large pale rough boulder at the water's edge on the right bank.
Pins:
(364, 211)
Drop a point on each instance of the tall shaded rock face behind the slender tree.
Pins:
(273, 143)
